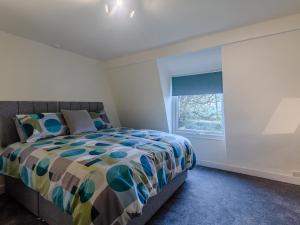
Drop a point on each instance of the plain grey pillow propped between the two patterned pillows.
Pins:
(79, 121)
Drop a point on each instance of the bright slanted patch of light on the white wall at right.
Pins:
(285, 119)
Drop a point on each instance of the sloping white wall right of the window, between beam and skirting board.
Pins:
(262, 107)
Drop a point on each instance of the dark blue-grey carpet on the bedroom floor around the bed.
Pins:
(209, 197)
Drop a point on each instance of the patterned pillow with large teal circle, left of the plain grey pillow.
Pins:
(33, 127)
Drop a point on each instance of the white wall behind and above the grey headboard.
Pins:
(33, 71)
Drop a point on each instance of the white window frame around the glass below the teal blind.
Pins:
(194, 133)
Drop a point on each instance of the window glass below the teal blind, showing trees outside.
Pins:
(201, 113)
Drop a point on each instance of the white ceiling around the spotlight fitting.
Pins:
(83, 27)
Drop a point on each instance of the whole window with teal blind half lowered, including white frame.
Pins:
(198, 104)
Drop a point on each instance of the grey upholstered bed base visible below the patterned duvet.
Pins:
(47, 211)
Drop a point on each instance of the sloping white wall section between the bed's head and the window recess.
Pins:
(138, 96)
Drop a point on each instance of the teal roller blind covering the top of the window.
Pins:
(208, 83)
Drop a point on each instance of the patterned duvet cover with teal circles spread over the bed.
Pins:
(100, 178)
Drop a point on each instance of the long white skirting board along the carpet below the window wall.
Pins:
(252, 172)
